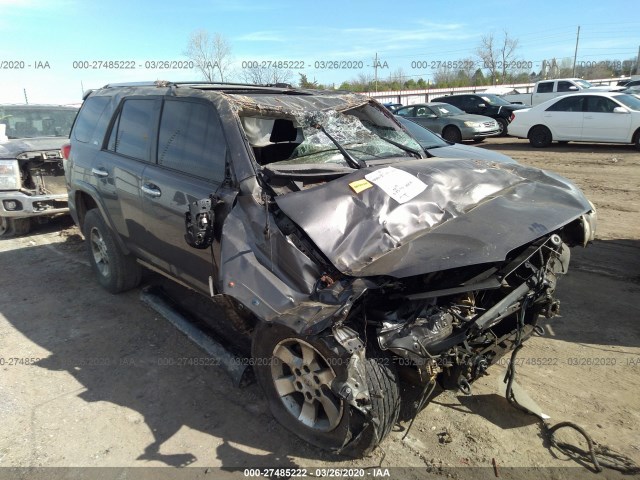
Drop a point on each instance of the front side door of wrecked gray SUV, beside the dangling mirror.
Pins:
(190, 165)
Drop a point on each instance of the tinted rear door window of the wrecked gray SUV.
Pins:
(131, 134)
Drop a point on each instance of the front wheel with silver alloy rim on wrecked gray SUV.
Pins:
(334, 425)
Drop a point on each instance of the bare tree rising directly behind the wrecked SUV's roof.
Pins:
(211, 55)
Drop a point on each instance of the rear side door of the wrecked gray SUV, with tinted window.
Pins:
(119, 165)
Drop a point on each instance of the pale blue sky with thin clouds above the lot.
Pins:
(52, 50)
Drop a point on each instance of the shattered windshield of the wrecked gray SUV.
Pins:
(362, 139)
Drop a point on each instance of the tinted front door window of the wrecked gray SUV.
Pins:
(191, 140)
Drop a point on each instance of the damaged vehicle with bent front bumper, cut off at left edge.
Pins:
(31, 172)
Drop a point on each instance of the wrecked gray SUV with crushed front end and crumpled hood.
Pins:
(347, 256)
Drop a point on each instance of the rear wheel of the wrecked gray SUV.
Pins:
(116, 271)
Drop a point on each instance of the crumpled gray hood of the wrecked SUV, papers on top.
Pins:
(471, 212)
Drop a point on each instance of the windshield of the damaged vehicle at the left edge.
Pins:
(23, 121)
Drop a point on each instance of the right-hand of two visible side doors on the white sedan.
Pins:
(601, 124)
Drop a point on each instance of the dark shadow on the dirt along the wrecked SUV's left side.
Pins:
(122, 353)
